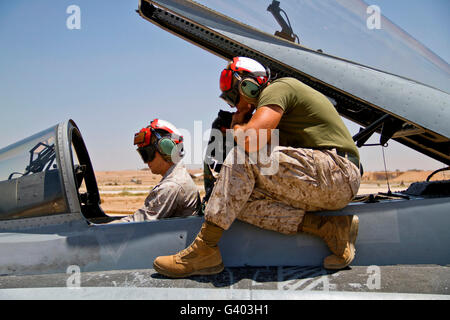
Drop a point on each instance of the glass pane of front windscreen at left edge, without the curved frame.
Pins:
(30, 183)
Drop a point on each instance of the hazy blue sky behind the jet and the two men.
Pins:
(118, 72)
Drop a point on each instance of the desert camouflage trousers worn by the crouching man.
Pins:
(304, 180)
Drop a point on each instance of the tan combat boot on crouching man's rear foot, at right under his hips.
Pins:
(339, 233)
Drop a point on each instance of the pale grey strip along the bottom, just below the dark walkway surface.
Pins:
(112, 293)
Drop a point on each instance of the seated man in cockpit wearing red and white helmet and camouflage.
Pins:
(161, 147)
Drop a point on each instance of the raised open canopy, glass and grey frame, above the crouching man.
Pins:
(412, 112)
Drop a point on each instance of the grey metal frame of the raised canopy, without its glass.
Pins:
(362, 94)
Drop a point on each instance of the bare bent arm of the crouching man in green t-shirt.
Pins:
(255, 134)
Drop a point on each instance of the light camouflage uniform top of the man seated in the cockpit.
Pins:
(176, 195)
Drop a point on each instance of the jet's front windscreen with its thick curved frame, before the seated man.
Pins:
(49, 174)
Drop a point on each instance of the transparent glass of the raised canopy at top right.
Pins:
(349, 29)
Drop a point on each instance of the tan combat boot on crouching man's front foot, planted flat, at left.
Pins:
(202, 257)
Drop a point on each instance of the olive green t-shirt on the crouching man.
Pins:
(309, 119)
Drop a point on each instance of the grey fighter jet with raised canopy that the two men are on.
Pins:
(48, 223)
